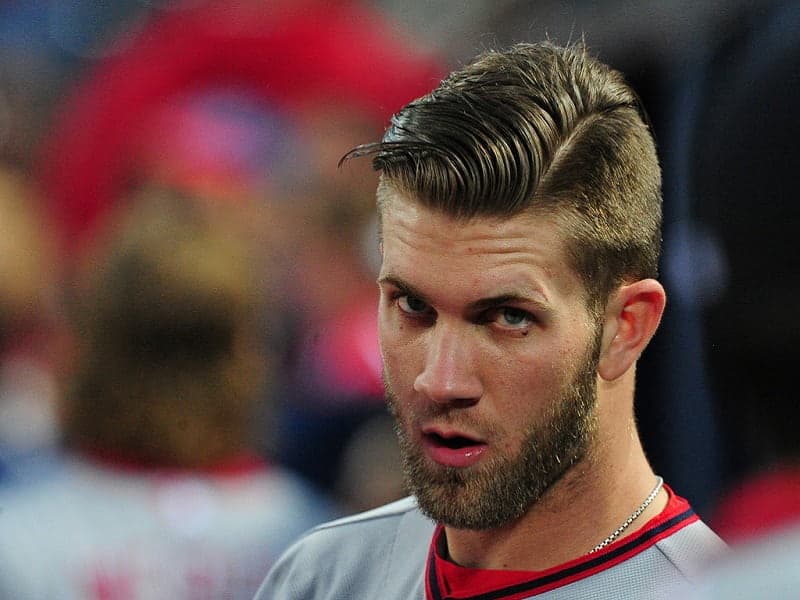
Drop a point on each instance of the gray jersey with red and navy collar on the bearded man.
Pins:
(388, 553)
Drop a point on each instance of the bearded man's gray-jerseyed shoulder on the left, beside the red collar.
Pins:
(351, 557)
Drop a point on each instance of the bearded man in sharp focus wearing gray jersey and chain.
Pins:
(520, 231)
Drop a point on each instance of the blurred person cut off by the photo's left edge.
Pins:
(30, 341)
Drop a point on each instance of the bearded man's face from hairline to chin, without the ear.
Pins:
(490, 360)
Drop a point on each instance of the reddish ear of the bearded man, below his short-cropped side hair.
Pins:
(631, 318)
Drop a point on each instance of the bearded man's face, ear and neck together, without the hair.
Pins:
(487, 339)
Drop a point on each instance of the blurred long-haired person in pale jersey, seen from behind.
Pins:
(163, 494)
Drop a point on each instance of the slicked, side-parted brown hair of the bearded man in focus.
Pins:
(536, 127)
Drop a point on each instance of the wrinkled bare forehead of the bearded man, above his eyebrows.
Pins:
(483, 255)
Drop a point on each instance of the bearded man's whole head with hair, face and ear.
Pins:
(520, 212)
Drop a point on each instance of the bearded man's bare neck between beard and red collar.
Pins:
(578, 512)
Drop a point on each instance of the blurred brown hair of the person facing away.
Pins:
(172, 357)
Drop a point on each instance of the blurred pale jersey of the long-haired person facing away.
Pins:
(97, 532)
